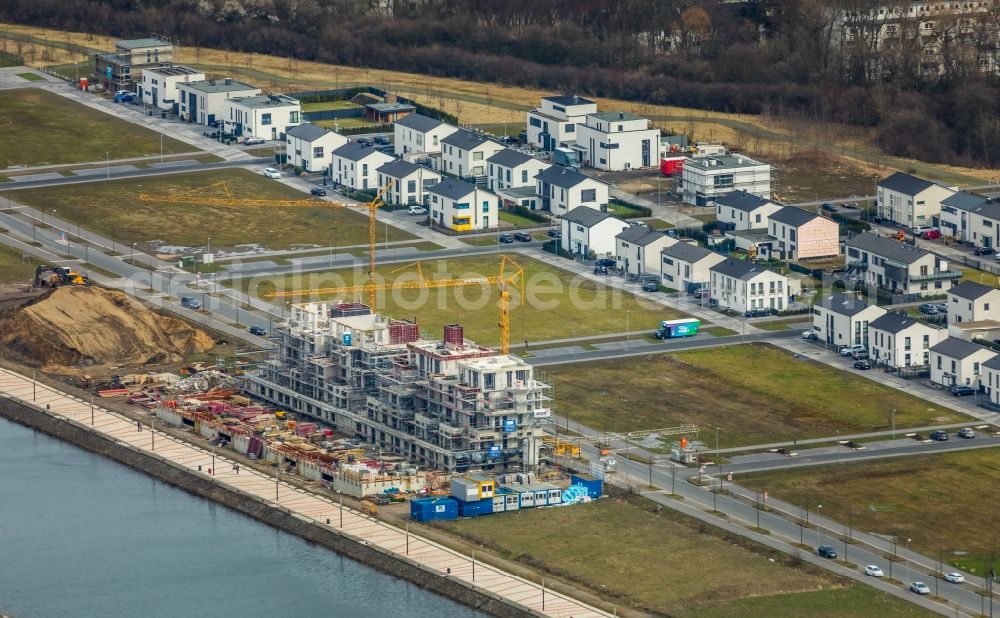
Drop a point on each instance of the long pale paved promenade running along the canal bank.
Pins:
(317, 509)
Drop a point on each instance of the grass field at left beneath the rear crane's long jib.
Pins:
(112, 209)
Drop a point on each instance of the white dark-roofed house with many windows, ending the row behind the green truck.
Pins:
(746, 286)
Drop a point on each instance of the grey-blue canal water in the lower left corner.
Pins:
(83, 536)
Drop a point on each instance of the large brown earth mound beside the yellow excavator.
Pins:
(88, 326)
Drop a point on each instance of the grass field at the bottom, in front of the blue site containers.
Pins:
(660, 562)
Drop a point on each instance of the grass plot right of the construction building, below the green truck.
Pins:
(755, 394)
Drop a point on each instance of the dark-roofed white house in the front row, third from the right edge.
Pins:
(897, 340)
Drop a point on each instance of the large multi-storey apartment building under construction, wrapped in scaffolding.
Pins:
(448, 404)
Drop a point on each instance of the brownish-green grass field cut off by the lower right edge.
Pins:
(935, 500)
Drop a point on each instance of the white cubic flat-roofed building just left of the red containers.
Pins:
(614, 141)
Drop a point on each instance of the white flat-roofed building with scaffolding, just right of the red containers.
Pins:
(704, 180)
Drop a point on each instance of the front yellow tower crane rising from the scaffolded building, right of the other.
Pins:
(510, 275)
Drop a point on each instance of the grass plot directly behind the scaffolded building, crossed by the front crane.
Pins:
(558, 304)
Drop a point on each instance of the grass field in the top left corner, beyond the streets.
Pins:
(41, 128)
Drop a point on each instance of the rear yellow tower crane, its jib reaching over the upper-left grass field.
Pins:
(200, 196)
